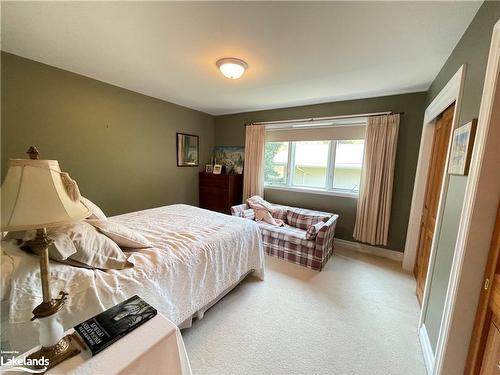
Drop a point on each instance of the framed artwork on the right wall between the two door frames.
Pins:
(461, 149)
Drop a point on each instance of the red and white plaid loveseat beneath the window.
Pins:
(306, 238)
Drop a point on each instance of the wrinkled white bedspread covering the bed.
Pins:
(197, 255)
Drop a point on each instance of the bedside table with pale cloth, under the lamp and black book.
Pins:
(156, 347)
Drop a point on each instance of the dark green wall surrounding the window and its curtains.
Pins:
(230, 131)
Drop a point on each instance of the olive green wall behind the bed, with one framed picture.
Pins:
(119, 145)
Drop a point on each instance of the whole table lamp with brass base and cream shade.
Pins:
(37, 195)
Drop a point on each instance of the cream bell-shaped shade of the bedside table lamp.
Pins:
(35, 196)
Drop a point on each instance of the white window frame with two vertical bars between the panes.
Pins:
(327, 189)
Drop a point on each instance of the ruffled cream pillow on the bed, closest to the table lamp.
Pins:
(92, 249)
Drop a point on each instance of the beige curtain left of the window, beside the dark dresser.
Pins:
(253, 179)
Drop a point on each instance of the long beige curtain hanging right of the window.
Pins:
(375, 194)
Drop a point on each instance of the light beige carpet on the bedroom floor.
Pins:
(358, 316)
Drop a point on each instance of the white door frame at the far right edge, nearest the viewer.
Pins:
(477, 220)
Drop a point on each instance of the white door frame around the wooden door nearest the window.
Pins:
(452, 92)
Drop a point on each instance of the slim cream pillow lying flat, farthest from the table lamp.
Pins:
(123, 236)
